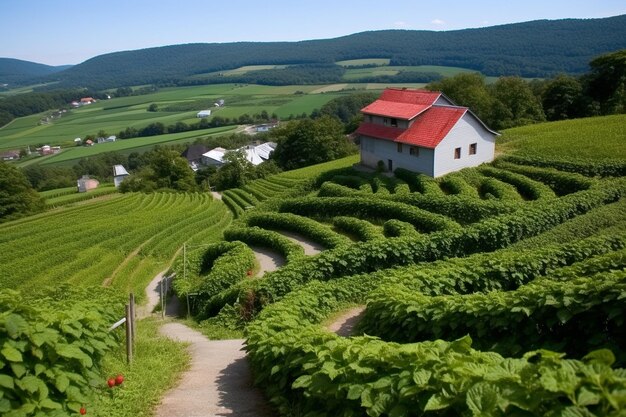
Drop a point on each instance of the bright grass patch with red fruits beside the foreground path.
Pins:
(158, 363)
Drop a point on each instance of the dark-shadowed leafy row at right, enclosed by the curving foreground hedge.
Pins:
(544, 314)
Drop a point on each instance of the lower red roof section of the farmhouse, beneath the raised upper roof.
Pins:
(427, 130)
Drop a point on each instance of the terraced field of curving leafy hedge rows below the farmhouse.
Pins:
(476, 304)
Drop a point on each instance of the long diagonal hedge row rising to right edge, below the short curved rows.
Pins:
(485, 236)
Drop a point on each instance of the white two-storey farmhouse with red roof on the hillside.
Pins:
(423, 131)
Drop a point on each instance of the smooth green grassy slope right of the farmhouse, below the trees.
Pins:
(593, 138)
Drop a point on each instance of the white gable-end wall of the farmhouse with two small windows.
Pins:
(467, 130)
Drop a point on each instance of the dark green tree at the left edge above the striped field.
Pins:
(17, 197)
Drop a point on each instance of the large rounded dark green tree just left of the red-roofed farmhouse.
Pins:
(308, 142)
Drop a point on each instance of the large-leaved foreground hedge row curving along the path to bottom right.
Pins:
(302, 366)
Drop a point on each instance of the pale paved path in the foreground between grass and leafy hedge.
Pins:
(218, 383)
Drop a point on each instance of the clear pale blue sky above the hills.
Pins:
(57, 32)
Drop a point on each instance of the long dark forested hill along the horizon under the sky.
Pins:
(533, 49)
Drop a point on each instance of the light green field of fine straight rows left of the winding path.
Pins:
(117, 240)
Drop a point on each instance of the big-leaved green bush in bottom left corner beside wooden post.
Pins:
(52, 349)
